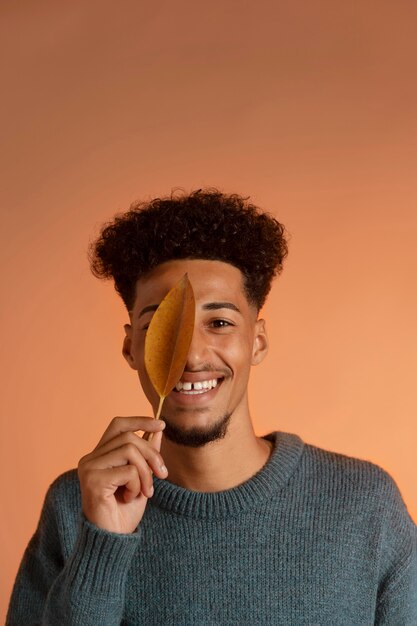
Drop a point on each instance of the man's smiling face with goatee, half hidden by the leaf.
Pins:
(227, 340)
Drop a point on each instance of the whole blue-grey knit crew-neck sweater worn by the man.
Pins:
(313, 538)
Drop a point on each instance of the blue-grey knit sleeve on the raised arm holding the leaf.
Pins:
(85, 589)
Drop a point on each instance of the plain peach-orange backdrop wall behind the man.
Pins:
(309, 108)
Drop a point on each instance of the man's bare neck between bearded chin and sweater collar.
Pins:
(222, 464)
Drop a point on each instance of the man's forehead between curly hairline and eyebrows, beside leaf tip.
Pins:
(211, 281)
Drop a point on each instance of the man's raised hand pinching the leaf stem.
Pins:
(116, 477)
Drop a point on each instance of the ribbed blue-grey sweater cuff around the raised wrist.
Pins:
(101, 559)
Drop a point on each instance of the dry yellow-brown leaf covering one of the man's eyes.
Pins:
(168, 339)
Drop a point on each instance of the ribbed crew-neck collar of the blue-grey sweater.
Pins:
(267, 481)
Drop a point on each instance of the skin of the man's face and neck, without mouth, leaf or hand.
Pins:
(209, 443)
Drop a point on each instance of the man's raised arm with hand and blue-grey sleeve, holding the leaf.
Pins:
(97, 522)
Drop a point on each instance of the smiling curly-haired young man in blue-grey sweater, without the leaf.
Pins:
(239, 529)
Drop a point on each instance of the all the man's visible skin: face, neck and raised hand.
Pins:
(205, 436)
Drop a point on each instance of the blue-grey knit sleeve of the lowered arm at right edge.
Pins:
(397, 589)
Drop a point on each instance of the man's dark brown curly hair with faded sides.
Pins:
(204, 224)
